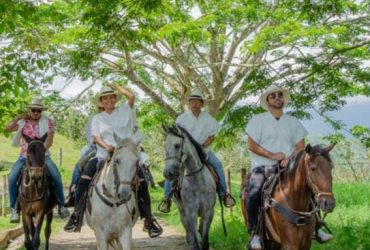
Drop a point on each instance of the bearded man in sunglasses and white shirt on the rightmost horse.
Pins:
(273, 138)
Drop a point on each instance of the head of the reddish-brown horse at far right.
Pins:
(319, 175)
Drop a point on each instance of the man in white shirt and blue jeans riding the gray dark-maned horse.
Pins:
(202, 127)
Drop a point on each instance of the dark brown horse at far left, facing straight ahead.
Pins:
(36, 197)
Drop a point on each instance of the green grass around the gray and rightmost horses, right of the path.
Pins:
(350, 220)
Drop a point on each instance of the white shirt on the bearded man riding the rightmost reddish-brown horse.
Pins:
(274, 135)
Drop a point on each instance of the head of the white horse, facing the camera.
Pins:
(124, 167)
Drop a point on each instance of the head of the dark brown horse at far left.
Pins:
(36, 157)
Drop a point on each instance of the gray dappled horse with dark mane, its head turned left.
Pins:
(185, 161)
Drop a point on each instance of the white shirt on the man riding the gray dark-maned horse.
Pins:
(200, 127)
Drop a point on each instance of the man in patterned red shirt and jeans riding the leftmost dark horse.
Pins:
(33, 124)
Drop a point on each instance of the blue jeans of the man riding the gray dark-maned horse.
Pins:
(217, 166)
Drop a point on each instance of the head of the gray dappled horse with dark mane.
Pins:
(176, 152)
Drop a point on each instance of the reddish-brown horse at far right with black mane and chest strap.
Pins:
(310, 175)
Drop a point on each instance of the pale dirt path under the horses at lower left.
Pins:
(170, 239)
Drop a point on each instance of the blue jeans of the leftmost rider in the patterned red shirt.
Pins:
(16, 171)
